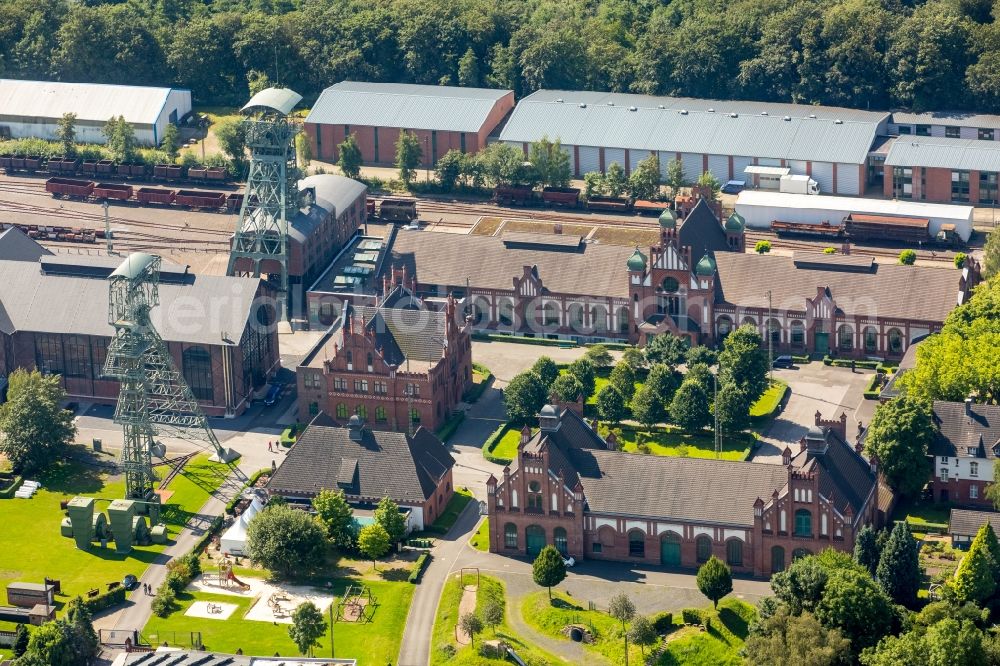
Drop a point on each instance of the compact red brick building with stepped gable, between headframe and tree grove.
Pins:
(397, 364)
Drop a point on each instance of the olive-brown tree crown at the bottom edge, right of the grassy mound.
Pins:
(785, 638)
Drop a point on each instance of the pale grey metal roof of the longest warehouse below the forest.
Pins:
(712, 127)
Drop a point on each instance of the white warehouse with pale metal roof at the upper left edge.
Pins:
(34, 108)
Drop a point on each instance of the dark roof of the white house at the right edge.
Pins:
(959, 432)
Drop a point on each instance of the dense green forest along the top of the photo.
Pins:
(943, 54)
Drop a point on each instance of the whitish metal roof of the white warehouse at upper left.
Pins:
(89, 101)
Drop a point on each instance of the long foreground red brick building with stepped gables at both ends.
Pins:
(570, 488)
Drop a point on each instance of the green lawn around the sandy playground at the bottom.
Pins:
(374, 643)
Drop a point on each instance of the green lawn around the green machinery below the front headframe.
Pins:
(32, 548)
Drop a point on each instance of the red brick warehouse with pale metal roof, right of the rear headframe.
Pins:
(443, 118)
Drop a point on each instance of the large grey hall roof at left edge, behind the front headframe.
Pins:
(68, 294)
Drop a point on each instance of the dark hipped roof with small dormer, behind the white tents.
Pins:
(407, 469)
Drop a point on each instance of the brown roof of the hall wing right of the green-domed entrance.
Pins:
(887, 291)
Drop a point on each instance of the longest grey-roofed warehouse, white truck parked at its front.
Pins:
(724, 137)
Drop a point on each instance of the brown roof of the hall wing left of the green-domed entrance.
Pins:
(487, 262)
